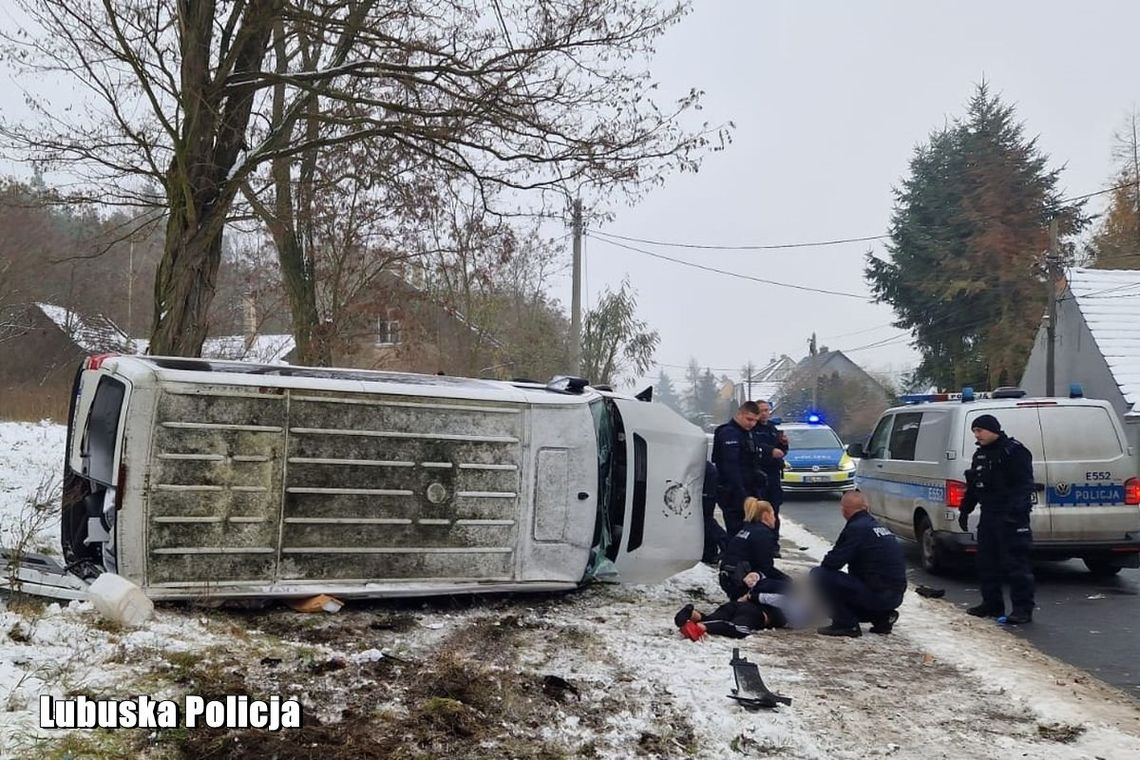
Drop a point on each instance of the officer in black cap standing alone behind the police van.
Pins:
(1000, 480)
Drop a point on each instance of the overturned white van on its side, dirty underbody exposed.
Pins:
(216, 479)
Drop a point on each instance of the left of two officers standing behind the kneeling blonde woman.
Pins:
(737, 462)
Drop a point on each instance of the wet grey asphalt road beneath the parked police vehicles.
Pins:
(1089, 623)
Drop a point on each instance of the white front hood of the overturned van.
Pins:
(663, 527)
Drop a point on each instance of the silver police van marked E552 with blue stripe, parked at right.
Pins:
(1087, 497)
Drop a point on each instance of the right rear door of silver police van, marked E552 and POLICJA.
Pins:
(1087, 468)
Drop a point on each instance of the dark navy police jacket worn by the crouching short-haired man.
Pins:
(872, 554)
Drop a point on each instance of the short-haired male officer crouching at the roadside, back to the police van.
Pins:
(874, 589)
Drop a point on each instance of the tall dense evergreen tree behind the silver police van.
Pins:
(968, 236)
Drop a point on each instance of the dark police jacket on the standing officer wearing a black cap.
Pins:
(1000, 478)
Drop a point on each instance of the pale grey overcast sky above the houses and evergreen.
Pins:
(830, 101)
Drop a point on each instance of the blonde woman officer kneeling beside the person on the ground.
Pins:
(753, 550)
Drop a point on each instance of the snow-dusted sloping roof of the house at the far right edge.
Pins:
(1110, 303)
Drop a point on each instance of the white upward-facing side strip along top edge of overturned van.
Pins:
(184, 370)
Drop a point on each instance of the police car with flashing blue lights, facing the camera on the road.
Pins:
(816, 460)
